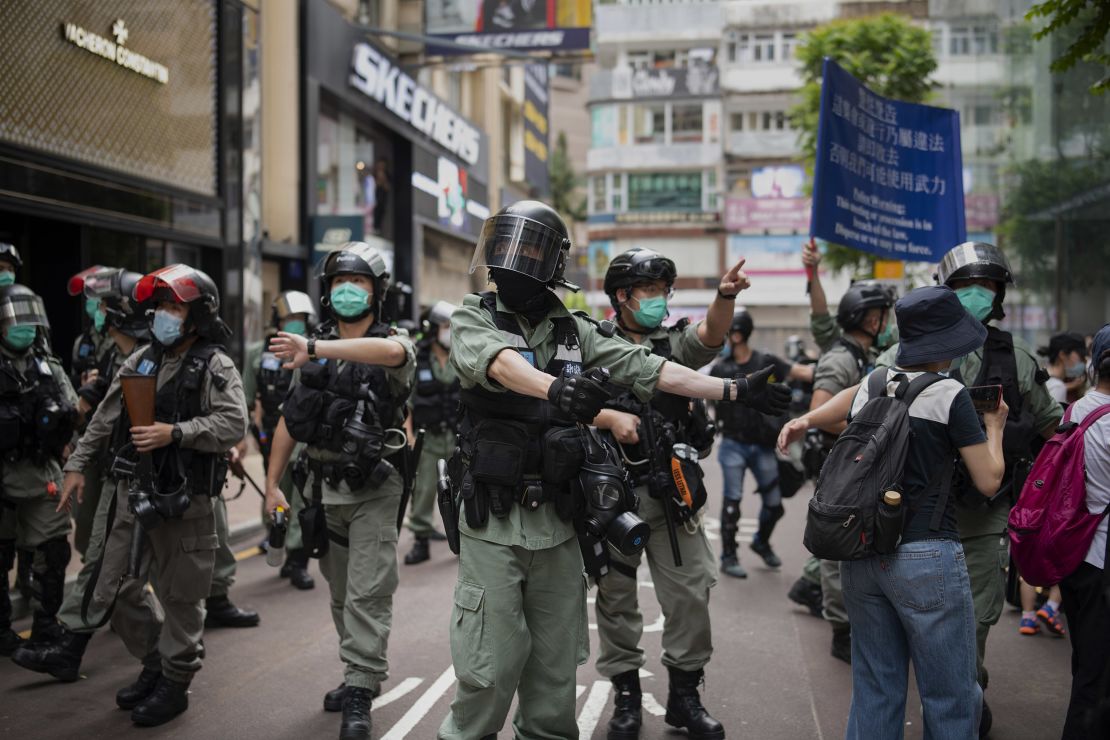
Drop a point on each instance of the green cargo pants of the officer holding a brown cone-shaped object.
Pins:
(178, 561)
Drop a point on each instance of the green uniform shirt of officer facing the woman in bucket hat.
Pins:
(1037, 401)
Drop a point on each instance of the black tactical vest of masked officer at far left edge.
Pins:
(36, 419)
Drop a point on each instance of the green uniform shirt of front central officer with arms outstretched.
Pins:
(476, 342)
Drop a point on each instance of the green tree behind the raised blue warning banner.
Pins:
(889, 55)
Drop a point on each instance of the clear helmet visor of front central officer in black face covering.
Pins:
(520, 245)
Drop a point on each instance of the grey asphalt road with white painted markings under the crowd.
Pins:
(771, 676)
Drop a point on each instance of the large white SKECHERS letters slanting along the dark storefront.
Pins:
(377, 77)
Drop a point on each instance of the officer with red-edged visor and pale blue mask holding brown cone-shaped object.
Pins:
(200, 414)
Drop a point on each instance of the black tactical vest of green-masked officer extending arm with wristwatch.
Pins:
(345, 410)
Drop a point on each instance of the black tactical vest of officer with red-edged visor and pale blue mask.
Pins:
(179, 400)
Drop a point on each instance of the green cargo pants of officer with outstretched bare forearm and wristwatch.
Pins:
(362, 576)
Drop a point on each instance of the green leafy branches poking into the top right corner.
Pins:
(1088, 23)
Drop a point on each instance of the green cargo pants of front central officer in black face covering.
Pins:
(519, 626)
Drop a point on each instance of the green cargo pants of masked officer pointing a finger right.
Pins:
(683, 594)
